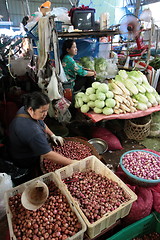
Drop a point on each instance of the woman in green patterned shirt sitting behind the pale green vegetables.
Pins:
(77, 76)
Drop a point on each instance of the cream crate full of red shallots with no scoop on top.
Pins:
(99, 195)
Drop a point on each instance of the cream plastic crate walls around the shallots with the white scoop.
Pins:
(46, 179)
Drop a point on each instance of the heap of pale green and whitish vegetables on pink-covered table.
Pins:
(127, 93)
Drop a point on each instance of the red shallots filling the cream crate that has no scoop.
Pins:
(96, 194)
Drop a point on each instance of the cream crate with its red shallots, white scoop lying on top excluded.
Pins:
(47, 222)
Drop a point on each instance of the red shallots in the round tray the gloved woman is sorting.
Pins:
(70, 149)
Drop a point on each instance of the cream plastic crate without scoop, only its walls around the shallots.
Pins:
(93, 163)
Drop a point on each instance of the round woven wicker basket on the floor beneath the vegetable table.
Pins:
(136, 130)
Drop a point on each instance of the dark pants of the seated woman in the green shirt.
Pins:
(81, 82)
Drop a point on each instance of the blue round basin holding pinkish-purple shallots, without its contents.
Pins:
(135, 179)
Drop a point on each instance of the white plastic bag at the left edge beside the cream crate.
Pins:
(5, 185)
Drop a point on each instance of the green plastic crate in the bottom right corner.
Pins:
(144, 226)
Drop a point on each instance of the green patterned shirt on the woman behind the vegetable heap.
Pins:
(72, 69)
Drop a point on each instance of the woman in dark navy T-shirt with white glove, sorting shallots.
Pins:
(28, 134)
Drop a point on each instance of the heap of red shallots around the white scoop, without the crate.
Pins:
(55, 220)
